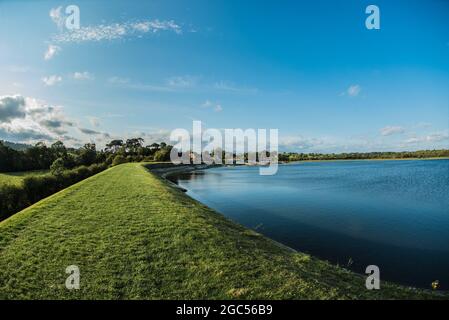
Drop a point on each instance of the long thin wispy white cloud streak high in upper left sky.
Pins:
(115, 31)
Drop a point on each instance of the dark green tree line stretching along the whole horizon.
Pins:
(58, 157)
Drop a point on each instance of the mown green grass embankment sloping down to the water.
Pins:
(135, 237)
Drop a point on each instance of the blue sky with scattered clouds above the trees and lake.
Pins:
(308, 68)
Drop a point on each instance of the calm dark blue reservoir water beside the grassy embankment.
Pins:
(393, 214)
